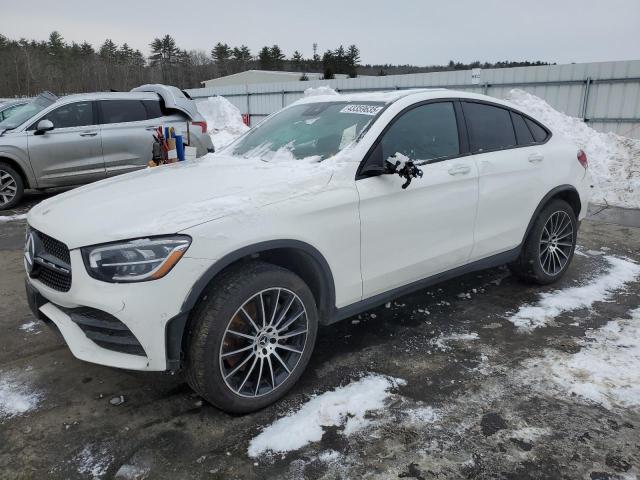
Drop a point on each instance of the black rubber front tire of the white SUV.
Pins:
(218, 308)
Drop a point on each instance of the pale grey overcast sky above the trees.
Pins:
(419, 32)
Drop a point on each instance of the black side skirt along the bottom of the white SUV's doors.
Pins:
(382, 298)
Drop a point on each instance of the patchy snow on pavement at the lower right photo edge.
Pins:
(605, 371)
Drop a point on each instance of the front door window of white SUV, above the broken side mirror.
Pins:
(427, 132)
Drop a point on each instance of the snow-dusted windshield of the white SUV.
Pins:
(309, 131)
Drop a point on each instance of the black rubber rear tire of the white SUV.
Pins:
(529, 265)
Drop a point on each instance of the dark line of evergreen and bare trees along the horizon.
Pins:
(30, 66)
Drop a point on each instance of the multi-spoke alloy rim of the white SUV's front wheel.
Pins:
(263, 342)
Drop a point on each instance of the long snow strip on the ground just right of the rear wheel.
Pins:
(552, 304)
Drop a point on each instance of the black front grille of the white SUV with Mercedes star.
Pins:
(51, 253)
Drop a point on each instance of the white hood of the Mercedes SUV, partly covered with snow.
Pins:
(171, 198)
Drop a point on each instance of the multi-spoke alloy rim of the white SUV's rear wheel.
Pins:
(556, 242)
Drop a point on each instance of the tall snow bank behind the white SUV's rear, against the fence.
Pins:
(614, 161)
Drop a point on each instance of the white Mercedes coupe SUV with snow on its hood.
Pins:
(224, 267)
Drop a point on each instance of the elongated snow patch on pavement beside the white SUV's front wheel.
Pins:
(344, 406)
